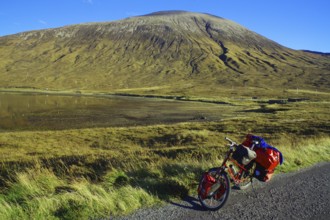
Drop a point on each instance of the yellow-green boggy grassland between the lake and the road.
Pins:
(102, 172)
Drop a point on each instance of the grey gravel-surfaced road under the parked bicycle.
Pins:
(304, 194)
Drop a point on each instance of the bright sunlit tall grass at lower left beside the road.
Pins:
(39, 194)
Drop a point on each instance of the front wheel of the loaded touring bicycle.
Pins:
(218, 198)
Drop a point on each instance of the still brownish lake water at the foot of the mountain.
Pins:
(43, 112)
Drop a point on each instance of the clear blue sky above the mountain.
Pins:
(297, 24)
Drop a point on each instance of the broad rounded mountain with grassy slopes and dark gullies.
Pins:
(171, 51)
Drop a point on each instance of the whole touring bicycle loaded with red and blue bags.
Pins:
(254, 158)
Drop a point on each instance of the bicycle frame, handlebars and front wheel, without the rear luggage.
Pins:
(214, 186)
